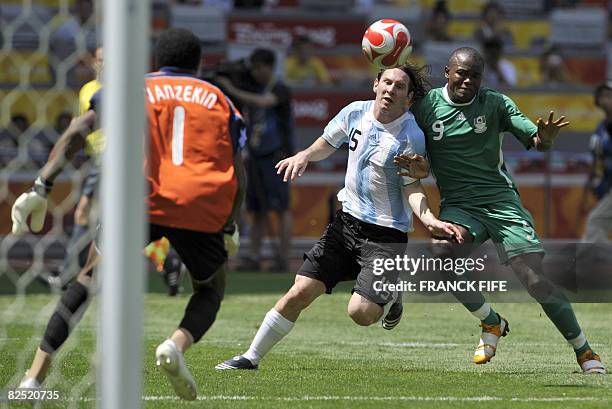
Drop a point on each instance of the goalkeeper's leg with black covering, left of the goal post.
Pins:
(70, 308)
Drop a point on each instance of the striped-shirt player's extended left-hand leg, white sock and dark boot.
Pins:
(278, 322)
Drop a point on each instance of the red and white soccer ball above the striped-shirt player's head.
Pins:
(387, 43)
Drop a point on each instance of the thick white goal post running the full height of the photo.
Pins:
(126, 56)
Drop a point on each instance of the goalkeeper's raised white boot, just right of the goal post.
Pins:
(170, 360)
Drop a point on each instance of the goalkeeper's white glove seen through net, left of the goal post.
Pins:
(32, 203)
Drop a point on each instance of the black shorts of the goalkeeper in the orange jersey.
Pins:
(202, 253)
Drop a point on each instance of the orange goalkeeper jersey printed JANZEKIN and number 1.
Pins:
(194, 132)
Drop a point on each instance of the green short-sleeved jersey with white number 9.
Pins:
(464, 143)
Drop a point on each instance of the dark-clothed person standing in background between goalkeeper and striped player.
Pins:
(266, 104)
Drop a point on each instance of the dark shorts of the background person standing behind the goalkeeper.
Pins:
(265, 188)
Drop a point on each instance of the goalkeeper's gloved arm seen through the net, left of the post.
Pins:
(33, 203)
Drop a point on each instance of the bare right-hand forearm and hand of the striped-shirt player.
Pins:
(419, 204)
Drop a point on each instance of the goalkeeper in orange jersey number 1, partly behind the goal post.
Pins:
(210, 187)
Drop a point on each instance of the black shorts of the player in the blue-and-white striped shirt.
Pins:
(348, 251)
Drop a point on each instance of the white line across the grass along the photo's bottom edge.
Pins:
(374, 398)
